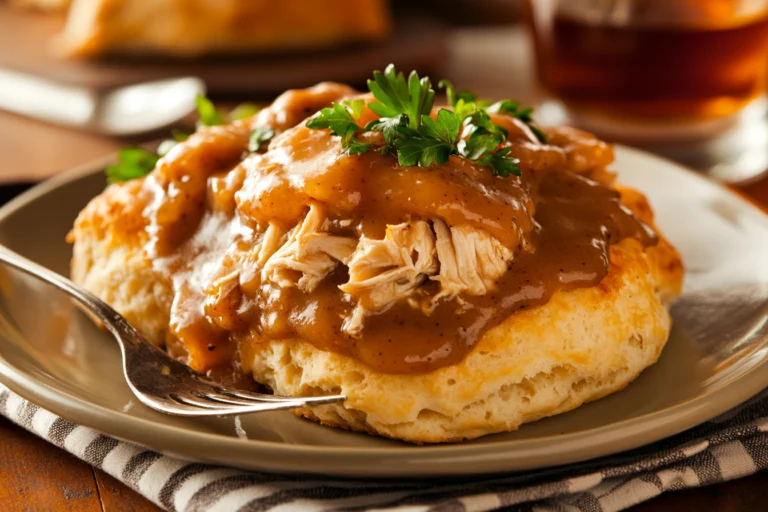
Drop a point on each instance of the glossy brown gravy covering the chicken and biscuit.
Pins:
(210, 208)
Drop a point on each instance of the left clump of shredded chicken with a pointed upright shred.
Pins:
(308, 255)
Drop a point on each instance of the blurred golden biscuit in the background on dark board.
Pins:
(196, 27)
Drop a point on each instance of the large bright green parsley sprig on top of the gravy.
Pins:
(404, 107)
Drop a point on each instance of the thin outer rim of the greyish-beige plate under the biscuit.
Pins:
(386, 461)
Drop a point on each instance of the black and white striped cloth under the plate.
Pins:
(730, 446)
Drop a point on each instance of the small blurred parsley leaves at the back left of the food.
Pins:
(137, 162)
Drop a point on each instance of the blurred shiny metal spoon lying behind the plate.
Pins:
(126, 110)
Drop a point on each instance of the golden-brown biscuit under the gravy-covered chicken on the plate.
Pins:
(580, 346)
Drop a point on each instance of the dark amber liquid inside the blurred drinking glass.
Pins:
(654, 73)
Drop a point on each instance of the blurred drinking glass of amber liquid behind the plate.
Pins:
(685, 78)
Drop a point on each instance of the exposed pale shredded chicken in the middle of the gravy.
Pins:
(463, 259)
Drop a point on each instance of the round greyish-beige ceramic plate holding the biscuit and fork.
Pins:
(715, 358)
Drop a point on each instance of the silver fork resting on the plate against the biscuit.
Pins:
(158, 380)
